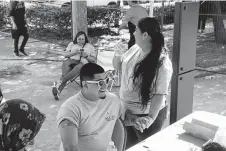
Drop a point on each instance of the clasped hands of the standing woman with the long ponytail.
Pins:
(143, 123)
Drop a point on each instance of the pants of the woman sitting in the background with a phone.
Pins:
(70, 69)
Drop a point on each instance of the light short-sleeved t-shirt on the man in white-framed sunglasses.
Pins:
(95, 120)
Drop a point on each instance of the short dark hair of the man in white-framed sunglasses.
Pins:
(88, 70)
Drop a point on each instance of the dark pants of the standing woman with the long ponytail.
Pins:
(134, 136)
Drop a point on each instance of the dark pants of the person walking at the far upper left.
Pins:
(21, 31)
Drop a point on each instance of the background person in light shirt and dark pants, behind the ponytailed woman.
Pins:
(133, 15)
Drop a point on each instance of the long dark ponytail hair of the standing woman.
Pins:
(146, 70)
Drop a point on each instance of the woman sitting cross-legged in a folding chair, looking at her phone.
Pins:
(78, 52)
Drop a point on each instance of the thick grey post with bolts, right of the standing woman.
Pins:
(183, 59)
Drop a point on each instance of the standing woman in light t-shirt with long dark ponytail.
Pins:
(146, 74)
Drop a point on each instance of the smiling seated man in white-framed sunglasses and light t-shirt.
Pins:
(86, 120)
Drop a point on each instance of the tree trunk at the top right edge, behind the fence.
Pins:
(219, 30)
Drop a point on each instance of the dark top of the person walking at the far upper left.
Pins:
(17, 10)
